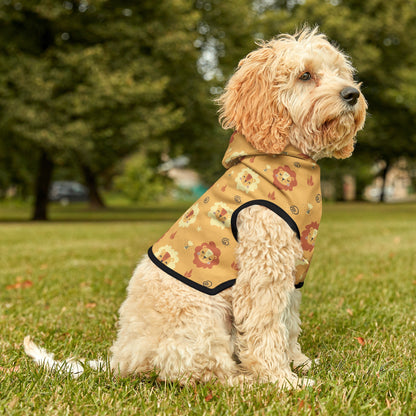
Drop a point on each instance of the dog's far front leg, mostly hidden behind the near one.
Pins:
(293, 322)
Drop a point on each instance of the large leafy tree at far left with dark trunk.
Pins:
(79, 83)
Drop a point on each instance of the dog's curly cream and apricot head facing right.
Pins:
(295, 90)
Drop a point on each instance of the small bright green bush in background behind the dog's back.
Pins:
(139, 181)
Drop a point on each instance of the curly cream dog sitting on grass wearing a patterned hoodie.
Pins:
(224, 306)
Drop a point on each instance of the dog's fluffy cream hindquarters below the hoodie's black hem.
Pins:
(165, 325)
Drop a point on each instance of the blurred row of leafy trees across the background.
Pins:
(89, 89)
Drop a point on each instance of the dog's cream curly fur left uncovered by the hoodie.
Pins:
(249, 332)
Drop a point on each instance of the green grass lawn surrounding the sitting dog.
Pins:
(62, 282)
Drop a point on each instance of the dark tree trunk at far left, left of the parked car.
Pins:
(42, 185)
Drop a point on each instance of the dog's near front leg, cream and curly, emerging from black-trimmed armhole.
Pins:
(266, 256)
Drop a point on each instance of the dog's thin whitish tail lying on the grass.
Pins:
(71, 366)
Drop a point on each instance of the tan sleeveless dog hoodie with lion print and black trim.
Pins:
(199, 249)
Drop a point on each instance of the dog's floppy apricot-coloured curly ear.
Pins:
(250, 103)
